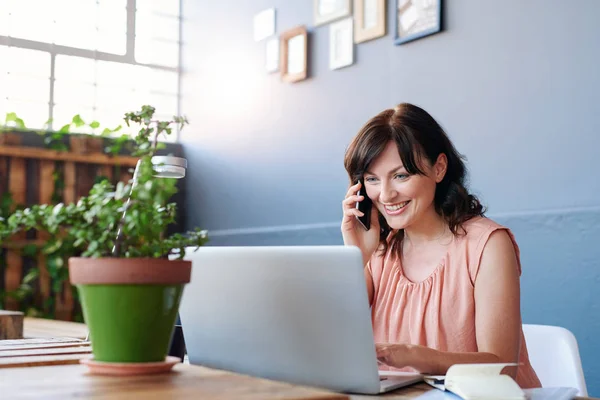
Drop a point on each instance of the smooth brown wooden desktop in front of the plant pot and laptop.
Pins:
(184, 382)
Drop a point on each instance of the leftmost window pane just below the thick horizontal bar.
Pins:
(25, 62)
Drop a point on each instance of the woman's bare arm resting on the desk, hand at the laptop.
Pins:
(497, 317)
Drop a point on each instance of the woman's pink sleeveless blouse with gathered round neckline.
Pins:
(438, 312)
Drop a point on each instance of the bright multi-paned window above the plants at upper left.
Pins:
(96, 58)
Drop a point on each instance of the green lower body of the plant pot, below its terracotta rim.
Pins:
(130, 323)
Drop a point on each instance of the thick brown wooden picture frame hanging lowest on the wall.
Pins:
(294, 53)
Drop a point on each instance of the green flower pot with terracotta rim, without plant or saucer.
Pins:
(129, 304)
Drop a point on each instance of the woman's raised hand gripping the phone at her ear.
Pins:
(352, 231)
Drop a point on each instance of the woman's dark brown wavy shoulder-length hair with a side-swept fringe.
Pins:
(417, 135)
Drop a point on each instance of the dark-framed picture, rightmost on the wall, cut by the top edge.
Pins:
(417, 18)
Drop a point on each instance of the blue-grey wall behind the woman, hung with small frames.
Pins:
(515, 84)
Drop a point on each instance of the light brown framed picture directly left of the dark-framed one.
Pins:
(369, 19)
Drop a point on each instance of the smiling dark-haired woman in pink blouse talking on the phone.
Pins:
(442, 280)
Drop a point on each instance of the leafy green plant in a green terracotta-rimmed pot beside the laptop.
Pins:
(130, 275)
